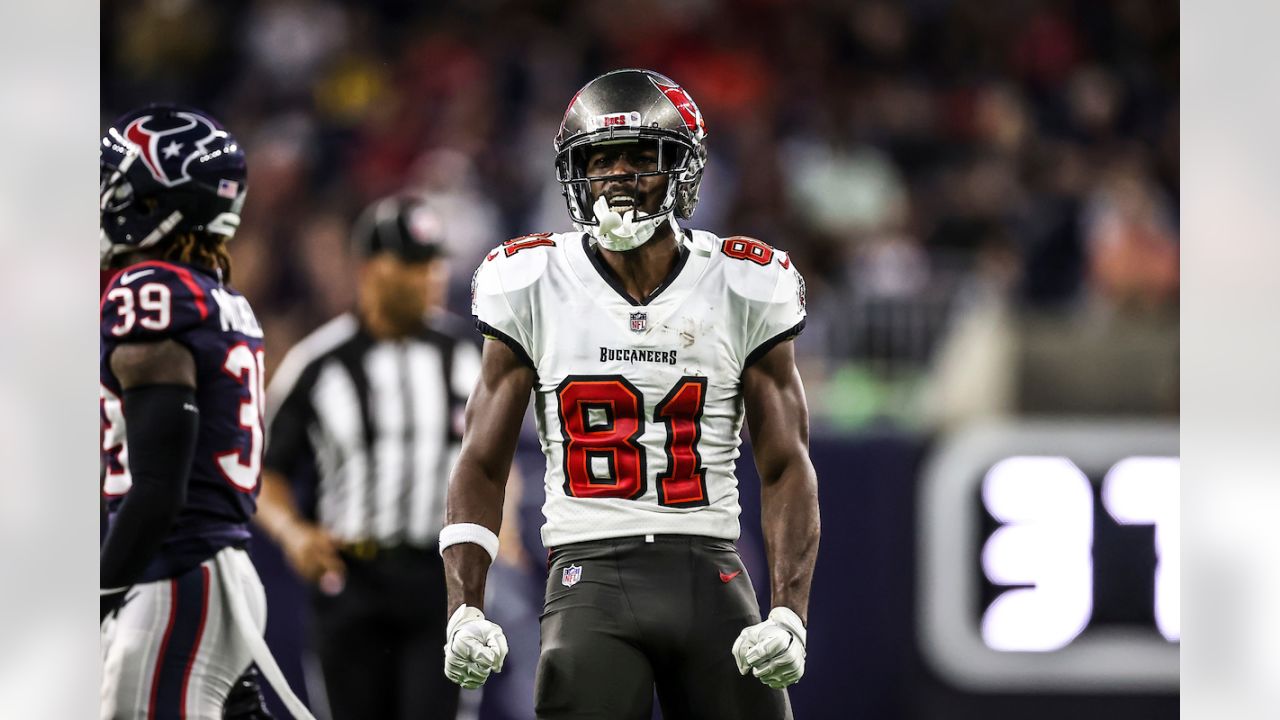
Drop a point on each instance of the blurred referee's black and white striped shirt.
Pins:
(380, 421)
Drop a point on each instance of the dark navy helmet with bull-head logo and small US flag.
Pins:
(168, 170)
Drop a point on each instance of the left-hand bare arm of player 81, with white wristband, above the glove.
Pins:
(495, 413)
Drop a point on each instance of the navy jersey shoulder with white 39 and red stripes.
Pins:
(153, 300)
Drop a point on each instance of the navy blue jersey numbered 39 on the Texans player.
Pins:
(152, 302)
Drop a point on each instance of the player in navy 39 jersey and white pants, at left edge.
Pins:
(181, 373)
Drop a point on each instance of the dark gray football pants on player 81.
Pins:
(641, 616)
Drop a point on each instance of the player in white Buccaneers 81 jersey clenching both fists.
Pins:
(644, 345)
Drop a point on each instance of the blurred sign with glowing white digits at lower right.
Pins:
(1049, 559)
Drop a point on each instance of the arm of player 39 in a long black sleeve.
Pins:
(162, 427)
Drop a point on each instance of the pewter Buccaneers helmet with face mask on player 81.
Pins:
(633, 106)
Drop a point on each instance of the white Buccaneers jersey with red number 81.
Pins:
(639, 407)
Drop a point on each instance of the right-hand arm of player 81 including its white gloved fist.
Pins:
(779, 421)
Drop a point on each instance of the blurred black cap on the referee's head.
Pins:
(404, 226)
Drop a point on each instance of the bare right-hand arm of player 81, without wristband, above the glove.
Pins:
(779, 421)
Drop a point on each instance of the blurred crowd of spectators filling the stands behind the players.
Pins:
(982, 197)
